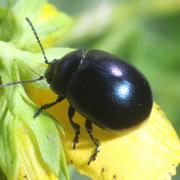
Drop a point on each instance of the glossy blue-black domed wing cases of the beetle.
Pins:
(109, 92)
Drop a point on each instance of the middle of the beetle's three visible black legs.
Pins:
(75, 126)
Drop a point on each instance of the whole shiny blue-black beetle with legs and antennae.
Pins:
(103, 88)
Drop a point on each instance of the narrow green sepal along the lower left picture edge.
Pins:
(8, 146)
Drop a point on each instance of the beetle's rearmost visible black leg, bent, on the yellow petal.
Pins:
(88, 125)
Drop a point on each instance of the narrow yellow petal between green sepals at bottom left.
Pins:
(31, 165)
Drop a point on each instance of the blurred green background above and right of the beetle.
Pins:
(145, 33)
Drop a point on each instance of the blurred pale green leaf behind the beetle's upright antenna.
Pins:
(49, 30)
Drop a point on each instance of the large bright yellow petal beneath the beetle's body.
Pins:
(150, 151)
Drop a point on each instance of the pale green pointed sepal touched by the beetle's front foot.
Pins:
(43, 130)
